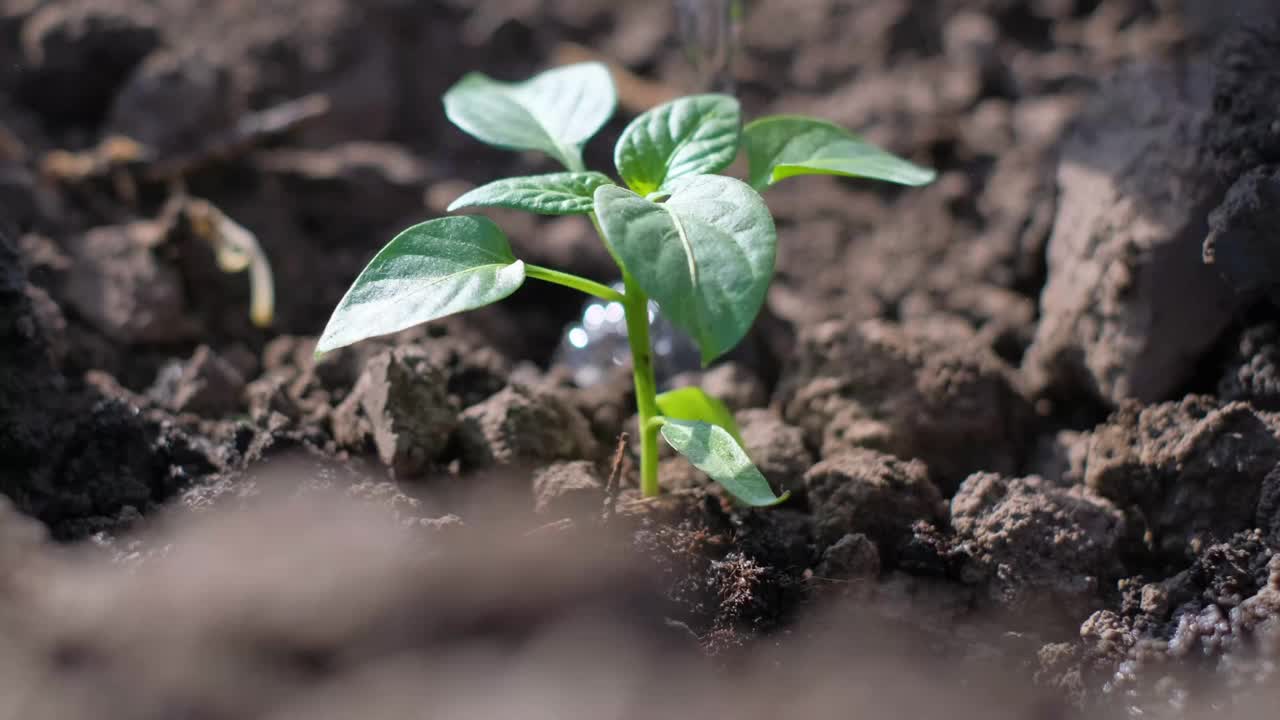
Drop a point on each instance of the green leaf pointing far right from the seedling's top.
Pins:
(784, 147)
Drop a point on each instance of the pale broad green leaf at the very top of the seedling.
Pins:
(555, 112)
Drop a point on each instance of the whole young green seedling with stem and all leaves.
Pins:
(700, 244)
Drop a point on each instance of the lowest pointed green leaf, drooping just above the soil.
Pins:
(712, 450)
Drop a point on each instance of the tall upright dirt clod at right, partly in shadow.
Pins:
(1135, 190)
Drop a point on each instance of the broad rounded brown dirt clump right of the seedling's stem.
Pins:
(948, 402)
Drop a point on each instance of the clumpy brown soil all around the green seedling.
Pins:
(1030, 414)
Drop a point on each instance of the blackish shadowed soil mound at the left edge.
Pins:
(76, 461)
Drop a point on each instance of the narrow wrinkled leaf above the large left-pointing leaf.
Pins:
(557, 194)
